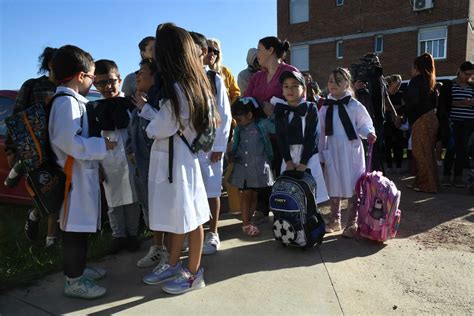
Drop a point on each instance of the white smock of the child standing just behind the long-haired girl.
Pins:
(212, 172)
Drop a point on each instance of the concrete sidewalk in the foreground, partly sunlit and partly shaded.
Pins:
(258, 276)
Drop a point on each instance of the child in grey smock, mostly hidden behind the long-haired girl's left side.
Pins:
(140, 147)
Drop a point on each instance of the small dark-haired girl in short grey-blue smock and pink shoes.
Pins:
(252, 154)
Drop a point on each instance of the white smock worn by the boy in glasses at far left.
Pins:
(68, 138)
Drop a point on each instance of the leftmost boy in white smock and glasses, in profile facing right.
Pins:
(69, 137)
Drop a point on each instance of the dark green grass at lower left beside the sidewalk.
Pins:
(23, 261)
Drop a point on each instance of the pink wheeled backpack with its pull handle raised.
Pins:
(378, 201)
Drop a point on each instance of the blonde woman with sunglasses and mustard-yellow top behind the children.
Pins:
(213, 59)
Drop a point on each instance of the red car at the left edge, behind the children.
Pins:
(18, 194)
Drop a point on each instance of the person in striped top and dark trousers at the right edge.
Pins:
(459, 94)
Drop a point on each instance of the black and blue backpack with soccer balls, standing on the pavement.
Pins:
(296, 221)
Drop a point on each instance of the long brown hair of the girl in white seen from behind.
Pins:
(177, 61)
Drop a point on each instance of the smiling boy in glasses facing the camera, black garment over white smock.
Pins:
(118, 171)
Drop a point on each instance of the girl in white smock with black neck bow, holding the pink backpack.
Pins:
(344, 121)
